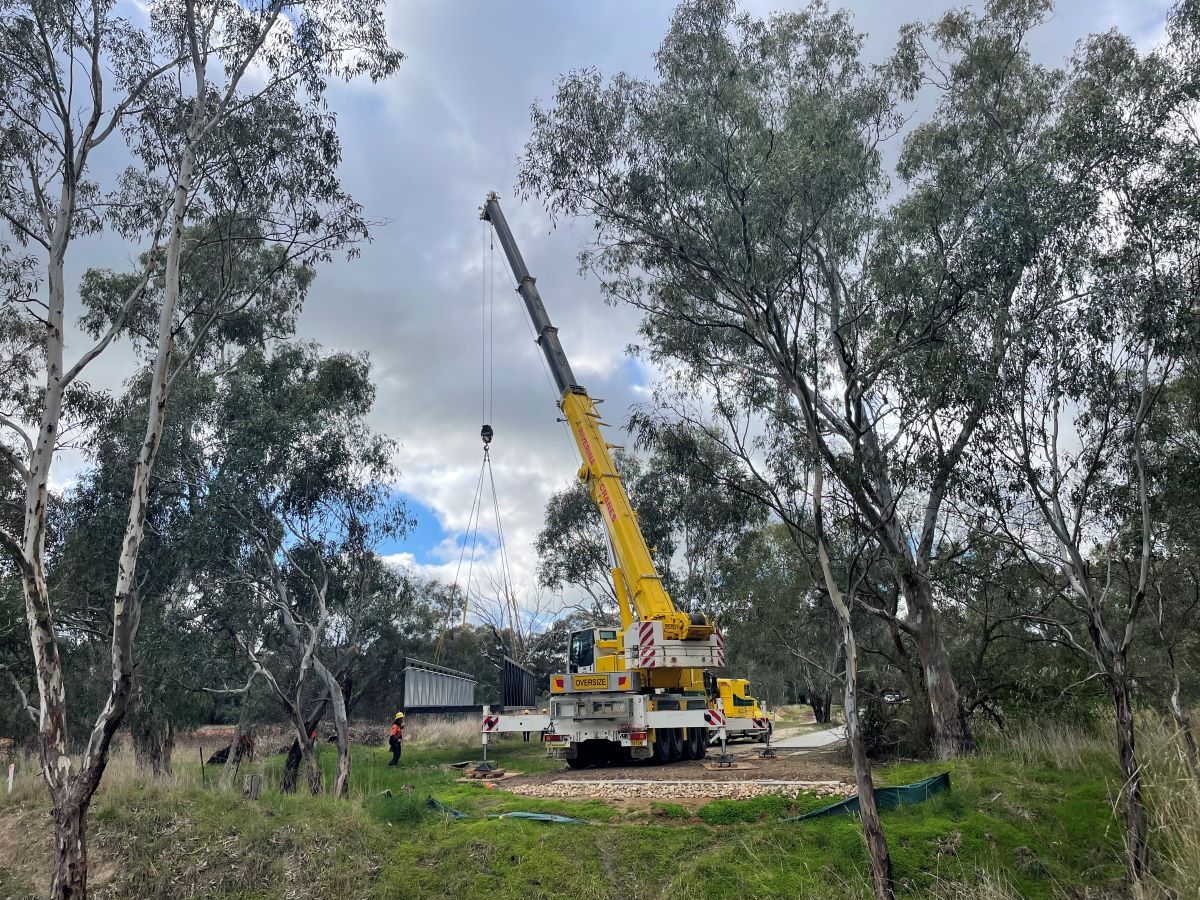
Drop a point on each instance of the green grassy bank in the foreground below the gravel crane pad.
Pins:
(1047, 829)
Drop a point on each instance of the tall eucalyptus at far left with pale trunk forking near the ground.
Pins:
(79, 75)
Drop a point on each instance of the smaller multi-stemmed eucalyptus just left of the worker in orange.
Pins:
(295, 473)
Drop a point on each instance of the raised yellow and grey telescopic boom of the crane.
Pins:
(639, 587)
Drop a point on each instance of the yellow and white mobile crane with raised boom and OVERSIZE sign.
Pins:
(644, 689)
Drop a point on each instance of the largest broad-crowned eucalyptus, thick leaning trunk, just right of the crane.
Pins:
(740, 202)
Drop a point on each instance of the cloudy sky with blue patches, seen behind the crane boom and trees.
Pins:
(421, 153)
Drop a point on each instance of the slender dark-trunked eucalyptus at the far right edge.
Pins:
(1115, 329)
